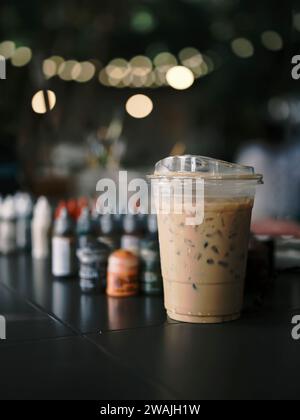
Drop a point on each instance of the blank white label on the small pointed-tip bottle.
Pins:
(63, 257)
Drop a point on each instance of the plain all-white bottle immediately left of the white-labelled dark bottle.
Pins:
(40, 229)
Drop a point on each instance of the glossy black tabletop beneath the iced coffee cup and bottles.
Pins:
(62, 344)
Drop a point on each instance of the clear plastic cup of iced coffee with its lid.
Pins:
(204, 209)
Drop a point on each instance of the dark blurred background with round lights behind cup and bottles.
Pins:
(213, 77)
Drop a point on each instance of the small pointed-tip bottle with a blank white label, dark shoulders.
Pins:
(64, 263)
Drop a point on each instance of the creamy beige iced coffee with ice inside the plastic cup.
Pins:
(204, 266)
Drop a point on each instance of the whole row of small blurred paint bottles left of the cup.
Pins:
(108, 251)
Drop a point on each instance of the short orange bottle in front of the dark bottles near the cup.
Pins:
(122, 275)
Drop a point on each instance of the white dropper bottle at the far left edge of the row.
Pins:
(8, 226)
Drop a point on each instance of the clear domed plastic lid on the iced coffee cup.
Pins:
(204, 167)
